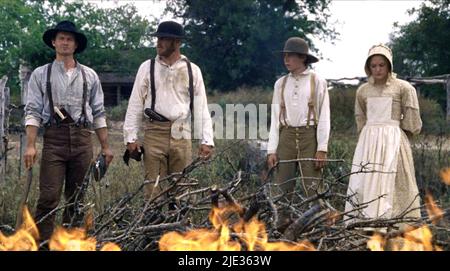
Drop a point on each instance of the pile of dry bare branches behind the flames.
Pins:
(183, 205)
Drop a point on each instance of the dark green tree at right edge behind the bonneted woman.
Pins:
(421, 47)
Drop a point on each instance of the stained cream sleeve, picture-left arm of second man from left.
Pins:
(135, 109)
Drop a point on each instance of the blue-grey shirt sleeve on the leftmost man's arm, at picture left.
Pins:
(35, 100)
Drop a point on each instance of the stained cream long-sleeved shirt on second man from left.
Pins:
(172, 99)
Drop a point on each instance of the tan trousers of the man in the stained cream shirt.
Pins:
(164, 155)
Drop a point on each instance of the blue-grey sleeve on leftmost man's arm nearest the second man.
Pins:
(97, 104)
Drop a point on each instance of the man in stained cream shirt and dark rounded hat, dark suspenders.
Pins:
(167, 91)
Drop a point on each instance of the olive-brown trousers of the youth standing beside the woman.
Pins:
(296, 143)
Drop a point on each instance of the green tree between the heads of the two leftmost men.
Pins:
(119, 39)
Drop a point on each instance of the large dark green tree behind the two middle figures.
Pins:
(234, 41)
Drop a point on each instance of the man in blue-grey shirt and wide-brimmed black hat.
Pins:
(66, 98)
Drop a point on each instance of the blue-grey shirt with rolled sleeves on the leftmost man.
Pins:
(67, 92)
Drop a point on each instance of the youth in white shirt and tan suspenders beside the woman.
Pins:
(300, 124)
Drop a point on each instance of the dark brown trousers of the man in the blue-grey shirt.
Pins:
(66, 156)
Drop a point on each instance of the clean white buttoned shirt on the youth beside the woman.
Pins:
(296, 96)
